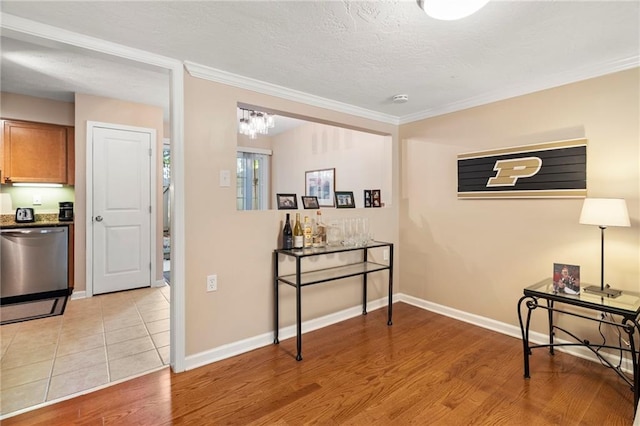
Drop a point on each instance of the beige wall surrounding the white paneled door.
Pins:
(94, 108)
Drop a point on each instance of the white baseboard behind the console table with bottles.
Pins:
(246, 345)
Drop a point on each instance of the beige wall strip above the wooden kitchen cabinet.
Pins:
(28, 108)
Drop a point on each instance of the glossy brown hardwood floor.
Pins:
(425, 369)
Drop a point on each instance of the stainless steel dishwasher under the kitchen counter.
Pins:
(34, 261)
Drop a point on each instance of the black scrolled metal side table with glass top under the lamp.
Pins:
(626, 306)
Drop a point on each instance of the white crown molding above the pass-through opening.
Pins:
(224, 77)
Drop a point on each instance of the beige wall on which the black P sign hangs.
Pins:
(477, 255)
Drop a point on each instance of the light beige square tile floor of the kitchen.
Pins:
(96, 341)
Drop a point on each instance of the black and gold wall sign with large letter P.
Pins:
(547, 170)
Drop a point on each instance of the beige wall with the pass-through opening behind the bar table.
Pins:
(238, 245)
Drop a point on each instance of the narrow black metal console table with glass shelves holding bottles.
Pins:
(302, 278)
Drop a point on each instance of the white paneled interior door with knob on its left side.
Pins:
(121, 209)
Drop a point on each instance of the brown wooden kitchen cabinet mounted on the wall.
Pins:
(37, 153)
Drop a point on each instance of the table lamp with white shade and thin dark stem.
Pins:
(604, 212)
